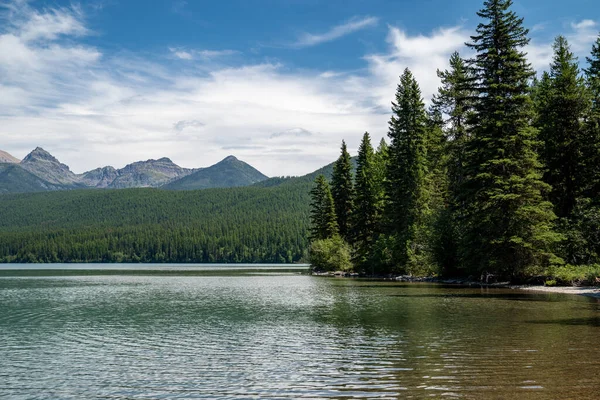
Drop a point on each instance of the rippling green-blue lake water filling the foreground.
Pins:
(271, 334)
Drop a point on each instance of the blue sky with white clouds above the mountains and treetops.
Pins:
(276, 83)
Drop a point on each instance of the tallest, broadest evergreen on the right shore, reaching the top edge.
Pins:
(509, 225)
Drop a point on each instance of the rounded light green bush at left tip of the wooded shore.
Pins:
(332, 254)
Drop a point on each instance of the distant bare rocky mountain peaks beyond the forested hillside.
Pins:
(40, 171)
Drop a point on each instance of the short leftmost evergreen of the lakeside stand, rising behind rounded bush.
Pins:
(322, 211)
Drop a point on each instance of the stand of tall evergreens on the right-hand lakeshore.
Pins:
(499, 177)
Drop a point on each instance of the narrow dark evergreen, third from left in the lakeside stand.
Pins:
(365, 212)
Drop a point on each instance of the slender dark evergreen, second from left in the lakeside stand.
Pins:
(343, 191)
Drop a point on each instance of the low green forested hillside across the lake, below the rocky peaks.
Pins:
(151, 225)
